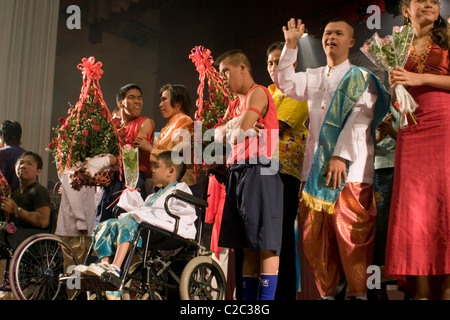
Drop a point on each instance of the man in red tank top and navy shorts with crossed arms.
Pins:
(253, 224)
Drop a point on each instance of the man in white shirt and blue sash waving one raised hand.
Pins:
(337, 207)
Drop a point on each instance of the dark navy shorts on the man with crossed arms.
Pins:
(253, 211)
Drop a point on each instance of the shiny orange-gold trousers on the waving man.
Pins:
(340, 245)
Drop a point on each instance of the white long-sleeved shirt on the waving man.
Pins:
(317, 86)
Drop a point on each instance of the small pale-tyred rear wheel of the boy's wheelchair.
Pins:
(202, 279)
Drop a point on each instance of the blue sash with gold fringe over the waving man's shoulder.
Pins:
(315, 194)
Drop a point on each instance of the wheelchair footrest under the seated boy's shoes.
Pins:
(106, 282)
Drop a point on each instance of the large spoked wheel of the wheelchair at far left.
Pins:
(36, 266)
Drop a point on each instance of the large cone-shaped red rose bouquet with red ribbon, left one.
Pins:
(87, 131)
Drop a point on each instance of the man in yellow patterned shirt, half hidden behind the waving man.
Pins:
(292, 115)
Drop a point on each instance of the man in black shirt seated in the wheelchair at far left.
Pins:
(29, 206)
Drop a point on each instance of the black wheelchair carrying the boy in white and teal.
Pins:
(166, 266)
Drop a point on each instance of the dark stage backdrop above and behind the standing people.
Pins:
(148, 42)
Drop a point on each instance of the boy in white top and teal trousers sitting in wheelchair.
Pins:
(111, 239)
